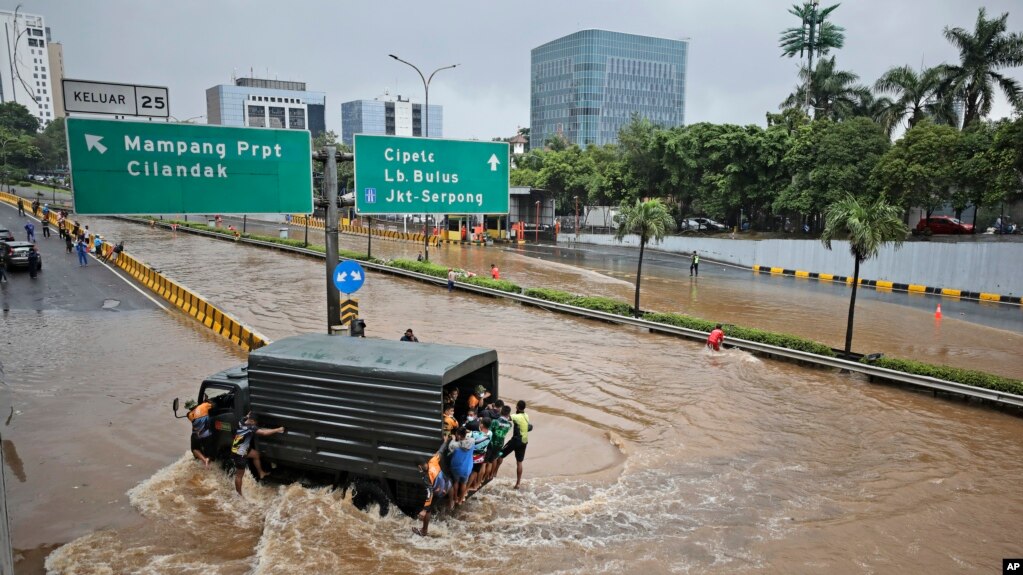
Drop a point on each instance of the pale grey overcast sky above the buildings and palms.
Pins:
(341, 48)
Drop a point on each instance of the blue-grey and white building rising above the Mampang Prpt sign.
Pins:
(266, 104)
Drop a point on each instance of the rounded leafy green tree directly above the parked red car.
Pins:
(920, 170)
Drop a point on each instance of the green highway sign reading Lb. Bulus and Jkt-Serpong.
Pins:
(407, 175)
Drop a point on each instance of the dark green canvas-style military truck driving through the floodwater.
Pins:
(360, 413)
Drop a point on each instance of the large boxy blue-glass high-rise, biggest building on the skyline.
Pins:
(586, 86)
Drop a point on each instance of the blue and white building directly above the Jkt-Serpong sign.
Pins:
(389, 116)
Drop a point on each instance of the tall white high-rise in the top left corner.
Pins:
(25, 70)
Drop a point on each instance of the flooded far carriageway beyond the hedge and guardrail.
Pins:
(972, 335)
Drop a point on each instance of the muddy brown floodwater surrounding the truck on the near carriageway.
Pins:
(650, 456)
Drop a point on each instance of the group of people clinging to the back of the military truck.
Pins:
(473, 448)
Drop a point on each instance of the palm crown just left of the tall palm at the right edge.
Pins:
(916, 98)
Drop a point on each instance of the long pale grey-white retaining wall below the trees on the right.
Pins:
(995, 268)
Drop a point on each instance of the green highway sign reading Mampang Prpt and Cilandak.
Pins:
(120, 167)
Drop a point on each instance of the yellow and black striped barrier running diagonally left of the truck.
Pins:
(188, 301)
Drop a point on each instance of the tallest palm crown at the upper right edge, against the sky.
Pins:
(983, 54)
